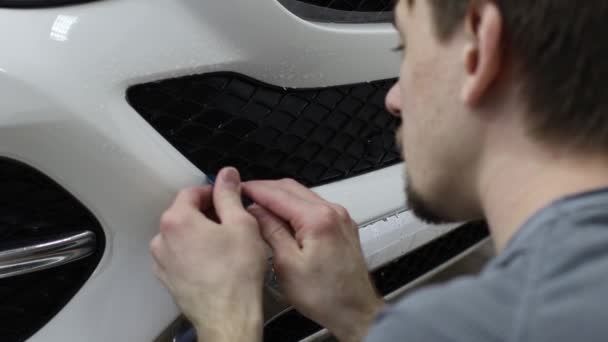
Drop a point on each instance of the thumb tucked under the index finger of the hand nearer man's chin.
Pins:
(274, 231)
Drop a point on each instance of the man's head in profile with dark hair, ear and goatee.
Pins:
(478, 74)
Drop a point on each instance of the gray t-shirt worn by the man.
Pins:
(549, 284)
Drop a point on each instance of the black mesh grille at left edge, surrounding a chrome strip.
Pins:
(33, 206)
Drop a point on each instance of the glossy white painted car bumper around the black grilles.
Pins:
(63, 76)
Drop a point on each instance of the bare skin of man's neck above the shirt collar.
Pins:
(520, 184)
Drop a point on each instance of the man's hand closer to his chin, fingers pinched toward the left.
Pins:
(317, 256)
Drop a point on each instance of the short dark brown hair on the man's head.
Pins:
(560, 49)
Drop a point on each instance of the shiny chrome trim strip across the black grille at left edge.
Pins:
(41, 255)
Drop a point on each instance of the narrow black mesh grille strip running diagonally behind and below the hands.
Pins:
(293, 327)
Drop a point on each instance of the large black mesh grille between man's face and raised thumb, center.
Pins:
(312, 135)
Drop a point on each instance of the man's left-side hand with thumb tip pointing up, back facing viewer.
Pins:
(214, 270)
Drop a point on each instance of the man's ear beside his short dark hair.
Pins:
(483, 54)
